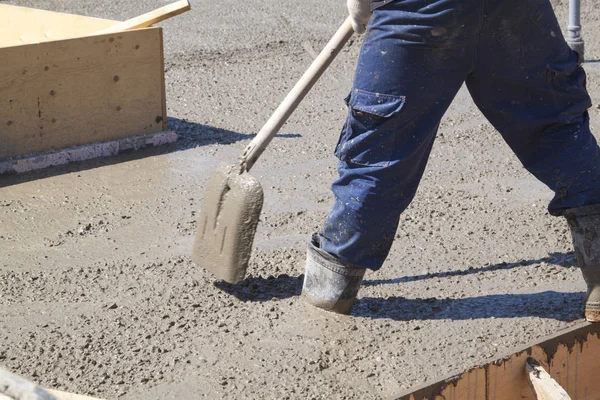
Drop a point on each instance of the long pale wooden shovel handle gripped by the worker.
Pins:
(295, 96)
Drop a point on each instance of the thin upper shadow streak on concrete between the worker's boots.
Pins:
(566, 260)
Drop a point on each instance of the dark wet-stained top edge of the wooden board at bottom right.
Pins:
(571, 336)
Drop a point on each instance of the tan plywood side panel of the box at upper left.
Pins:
(72, 92)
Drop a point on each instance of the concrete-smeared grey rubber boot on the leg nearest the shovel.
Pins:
(329, 284)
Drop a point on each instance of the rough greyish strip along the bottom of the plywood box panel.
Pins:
(35, 161)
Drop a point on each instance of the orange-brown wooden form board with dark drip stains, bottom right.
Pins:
(571, 358)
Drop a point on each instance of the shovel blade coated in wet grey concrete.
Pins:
(227, 223)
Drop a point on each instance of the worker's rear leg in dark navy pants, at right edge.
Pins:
(529, 84)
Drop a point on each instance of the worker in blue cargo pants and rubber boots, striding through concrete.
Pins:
(415, 56)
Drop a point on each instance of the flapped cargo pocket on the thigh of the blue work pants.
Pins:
(368, 136)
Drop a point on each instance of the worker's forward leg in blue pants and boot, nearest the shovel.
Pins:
(413, 60)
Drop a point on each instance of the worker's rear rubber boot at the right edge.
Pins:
(585, 229)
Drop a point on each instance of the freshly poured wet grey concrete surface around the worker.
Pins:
(99, 295)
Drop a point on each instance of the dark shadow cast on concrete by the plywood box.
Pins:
(191, 135)
